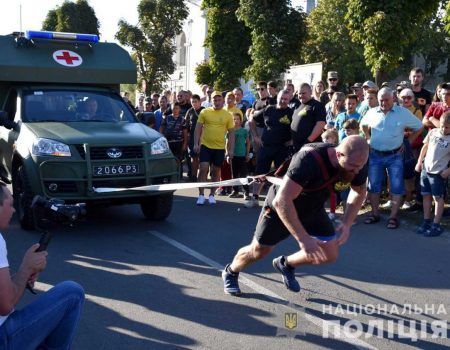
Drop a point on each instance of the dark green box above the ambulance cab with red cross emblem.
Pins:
(102, 63)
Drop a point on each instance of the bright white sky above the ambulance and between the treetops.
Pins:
(108, 12)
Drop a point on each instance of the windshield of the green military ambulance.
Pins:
(74, 106)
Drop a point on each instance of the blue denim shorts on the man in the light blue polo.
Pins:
(378, 164)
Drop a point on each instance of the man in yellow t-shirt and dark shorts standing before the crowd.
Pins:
(209, 140)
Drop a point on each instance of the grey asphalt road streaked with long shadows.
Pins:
(158, 286)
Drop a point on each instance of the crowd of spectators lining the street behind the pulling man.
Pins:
(406, 126)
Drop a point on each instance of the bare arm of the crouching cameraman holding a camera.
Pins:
(11, 289)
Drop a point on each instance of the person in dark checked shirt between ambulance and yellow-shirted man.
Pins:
(174, 128)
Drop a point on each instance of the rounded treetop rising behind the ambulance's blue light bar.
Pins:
(72, 17)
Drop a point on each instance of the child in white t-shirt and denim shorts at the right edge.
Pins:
(433, 167)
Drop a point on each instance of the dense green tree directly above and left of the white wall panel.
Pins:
(277, 32)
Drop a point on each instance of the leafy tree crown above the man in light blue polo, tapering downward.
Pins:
(386, 29)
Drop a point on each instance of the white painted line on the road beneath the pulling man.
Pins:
(358, 343)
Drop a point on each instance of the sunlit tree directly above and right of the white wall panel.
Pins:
(328, 41)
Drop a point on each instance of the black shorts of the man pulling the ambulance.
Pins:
(270, 230)
